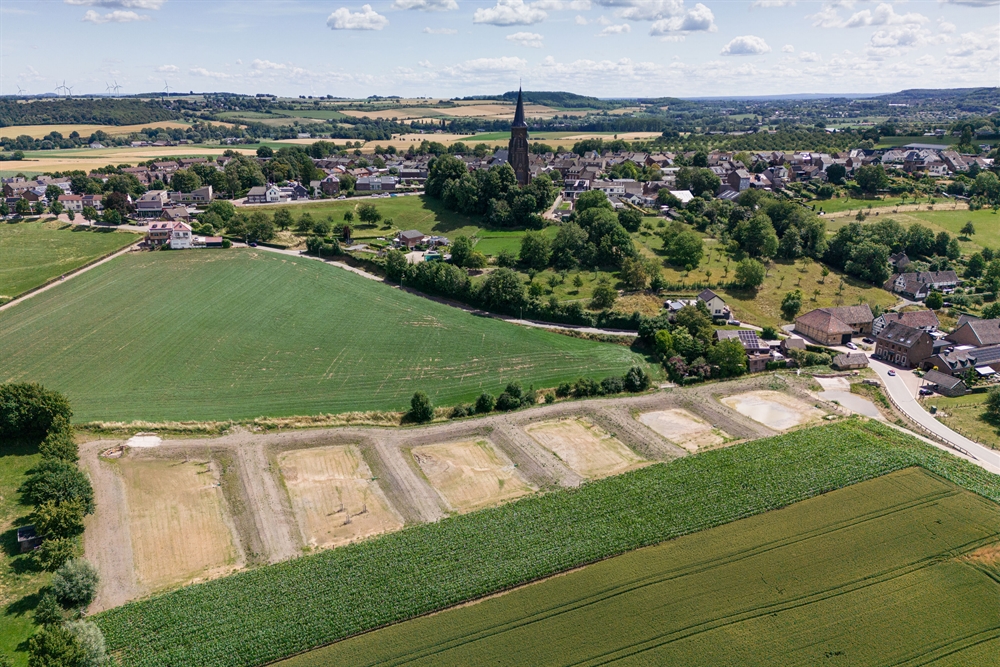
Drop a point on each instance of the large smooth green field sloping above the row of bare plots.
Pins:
(215, 335)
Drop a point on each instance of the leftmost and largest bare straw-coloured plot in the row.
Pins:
(178, 522)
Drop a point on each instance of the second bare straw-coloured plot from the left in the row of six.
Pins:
(333, 496)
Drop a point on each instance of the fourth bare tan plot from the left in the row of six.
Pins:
(585, 448)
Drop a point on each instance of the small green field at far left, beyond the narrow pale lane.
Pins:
(32, 253)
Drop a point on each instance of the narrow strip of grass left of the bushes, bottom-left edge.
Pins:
(19, 580)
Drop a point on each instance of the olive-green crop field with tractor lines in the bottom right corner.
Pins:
(873, 574)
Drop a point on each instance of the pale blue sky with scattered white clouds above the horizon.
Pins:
(462, 47)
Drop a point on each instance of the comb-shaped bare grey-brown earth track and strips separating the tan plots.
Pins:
(263, 523)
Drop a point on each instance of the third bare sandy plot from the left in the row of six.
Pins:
(470, 475)
